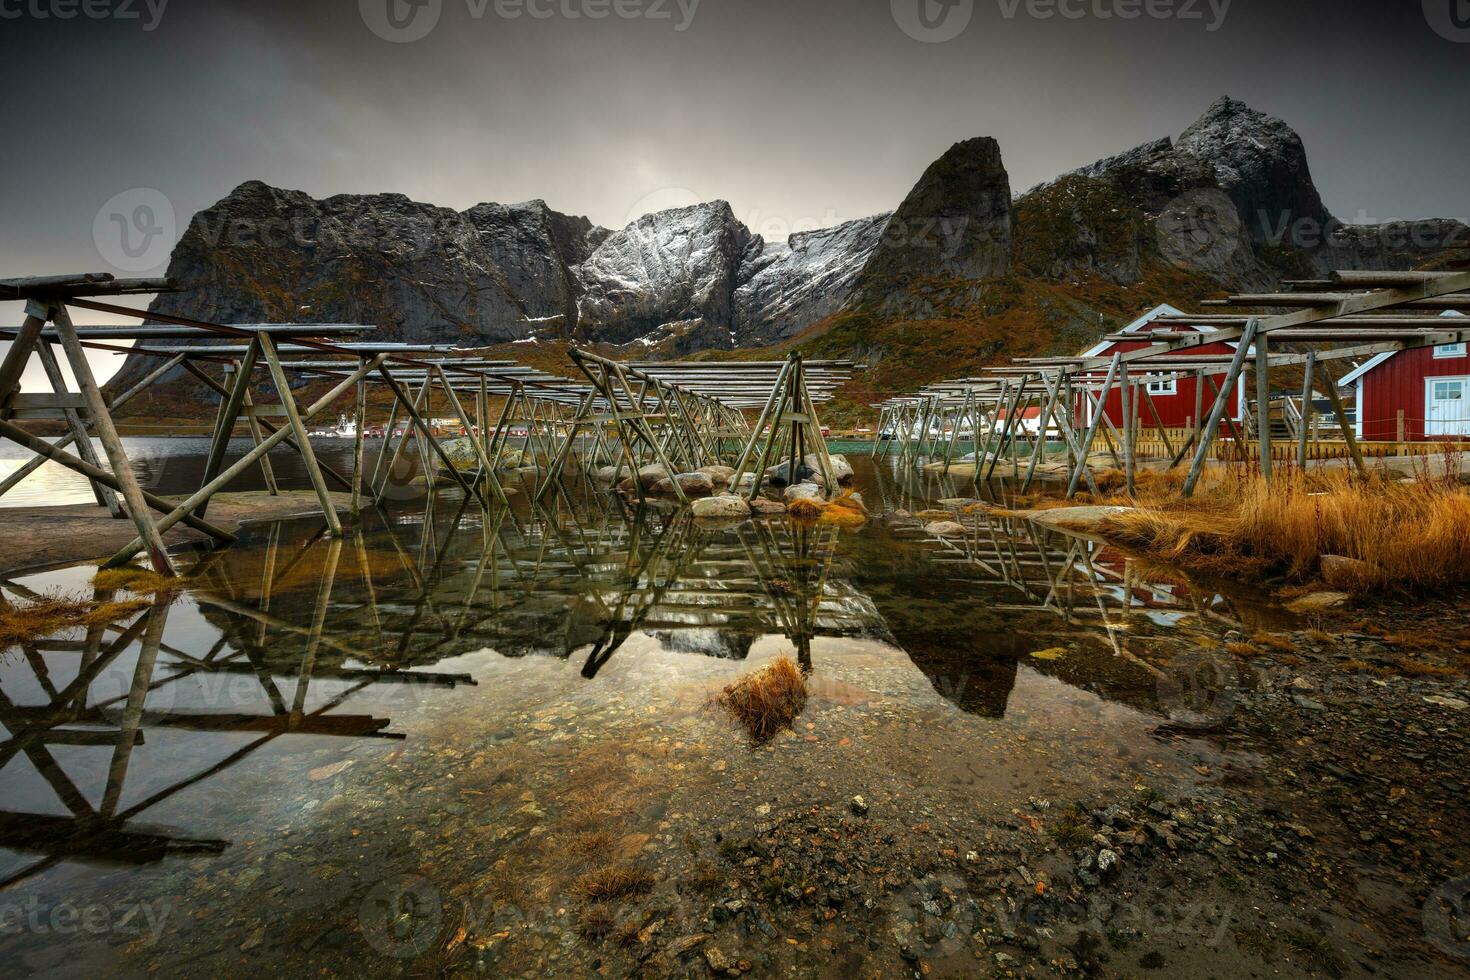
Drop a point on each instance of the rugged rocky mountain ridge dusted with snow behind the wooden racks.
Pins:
(1227, 205)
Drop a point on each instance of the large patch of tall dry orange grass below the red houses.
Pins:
(1409, 536)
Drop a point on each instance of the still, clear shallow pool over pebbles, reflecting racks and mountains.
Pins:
(405, 749)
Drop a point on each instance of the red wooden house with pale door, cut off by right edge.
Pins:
(1430, 387)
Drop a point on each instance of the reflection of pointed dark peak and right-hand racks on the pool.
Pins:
(971, 608)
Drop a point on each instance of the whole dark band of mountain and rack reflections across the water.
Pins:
(290, 633)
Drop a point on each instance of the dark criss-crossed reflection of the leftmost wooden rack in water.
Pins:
(71, 718)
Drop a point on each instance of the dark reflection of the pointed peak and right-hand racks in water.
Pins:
(969, 609)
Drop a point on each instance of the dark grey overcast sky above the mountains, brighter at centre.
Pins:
(799, 112)
